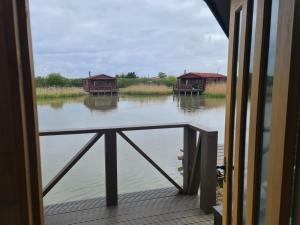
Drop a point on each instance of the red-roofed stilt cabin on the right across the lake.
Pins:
(195, 83)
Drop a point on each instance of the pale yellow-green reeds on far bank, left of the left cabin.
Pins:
(59, 92)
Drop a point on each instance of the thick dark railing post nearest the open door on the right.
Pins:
(208, 180)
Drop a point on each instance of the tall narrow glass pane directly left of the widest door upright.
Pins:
(267, 110)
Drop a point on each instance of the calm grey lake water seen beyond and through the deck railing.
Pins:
(87, 178)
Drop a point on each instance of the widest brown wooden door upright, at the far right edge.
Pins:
(283, 139)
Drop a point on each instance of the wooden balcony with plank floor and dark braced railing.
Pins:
(189, 203)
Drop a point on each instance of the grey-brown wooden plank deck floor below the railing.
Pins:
(161, 206)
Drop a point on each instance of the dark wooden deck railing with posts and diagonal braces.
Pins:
(199, 160)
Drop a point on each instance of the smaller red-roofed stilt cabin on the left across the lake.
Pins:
(100, 84)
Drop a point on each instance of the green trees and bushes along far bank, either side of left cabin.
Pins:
(124, 80)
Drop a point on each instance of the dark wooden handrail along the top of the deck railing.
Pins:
(152, 126)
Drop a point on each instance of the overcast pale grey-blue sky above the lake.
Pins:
(73, 37)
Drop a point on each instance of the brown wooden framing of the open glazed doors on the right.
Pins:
(285, 106)
